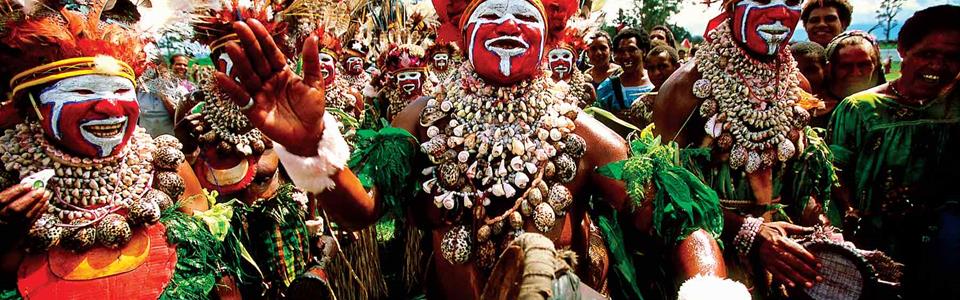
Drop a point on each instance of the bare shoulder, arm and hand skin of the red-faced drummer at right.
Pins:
(789, 262)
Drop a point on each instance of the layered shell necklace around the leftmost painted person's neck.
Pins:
(96, 201)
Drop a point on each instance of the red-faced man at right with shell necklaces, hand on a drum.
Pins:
(744, 100)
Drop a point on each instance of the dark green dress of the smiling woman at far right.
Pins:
(899, 164)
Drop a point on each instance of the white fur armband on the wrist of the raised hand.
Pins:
(313, 173)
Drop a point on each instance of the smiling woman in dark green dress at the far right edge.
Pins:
(895, 146)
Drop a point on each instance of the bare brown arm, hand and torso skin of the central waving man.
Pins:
(356, 208)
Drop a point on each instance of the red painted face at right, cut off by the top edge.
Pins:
(764, 27)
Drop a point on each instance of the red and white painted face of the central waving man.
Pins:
(505, 40)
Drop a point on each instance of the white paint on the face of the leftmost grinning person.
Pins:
(85, 91)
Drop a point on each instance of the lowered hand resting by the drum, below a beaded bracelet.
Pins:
(788, 261)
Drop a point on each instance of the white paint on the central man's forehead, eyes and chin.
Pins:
(497, 12)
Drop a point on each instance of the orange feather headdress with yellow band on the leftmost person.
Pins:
(45, 41)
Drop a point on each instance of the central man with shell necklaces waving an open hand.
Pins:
(502, 154)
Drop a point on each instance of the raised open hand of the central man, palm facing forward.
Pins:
(286, 107)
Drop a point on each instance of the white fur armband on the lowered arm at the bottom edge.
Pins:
(712, 287)
